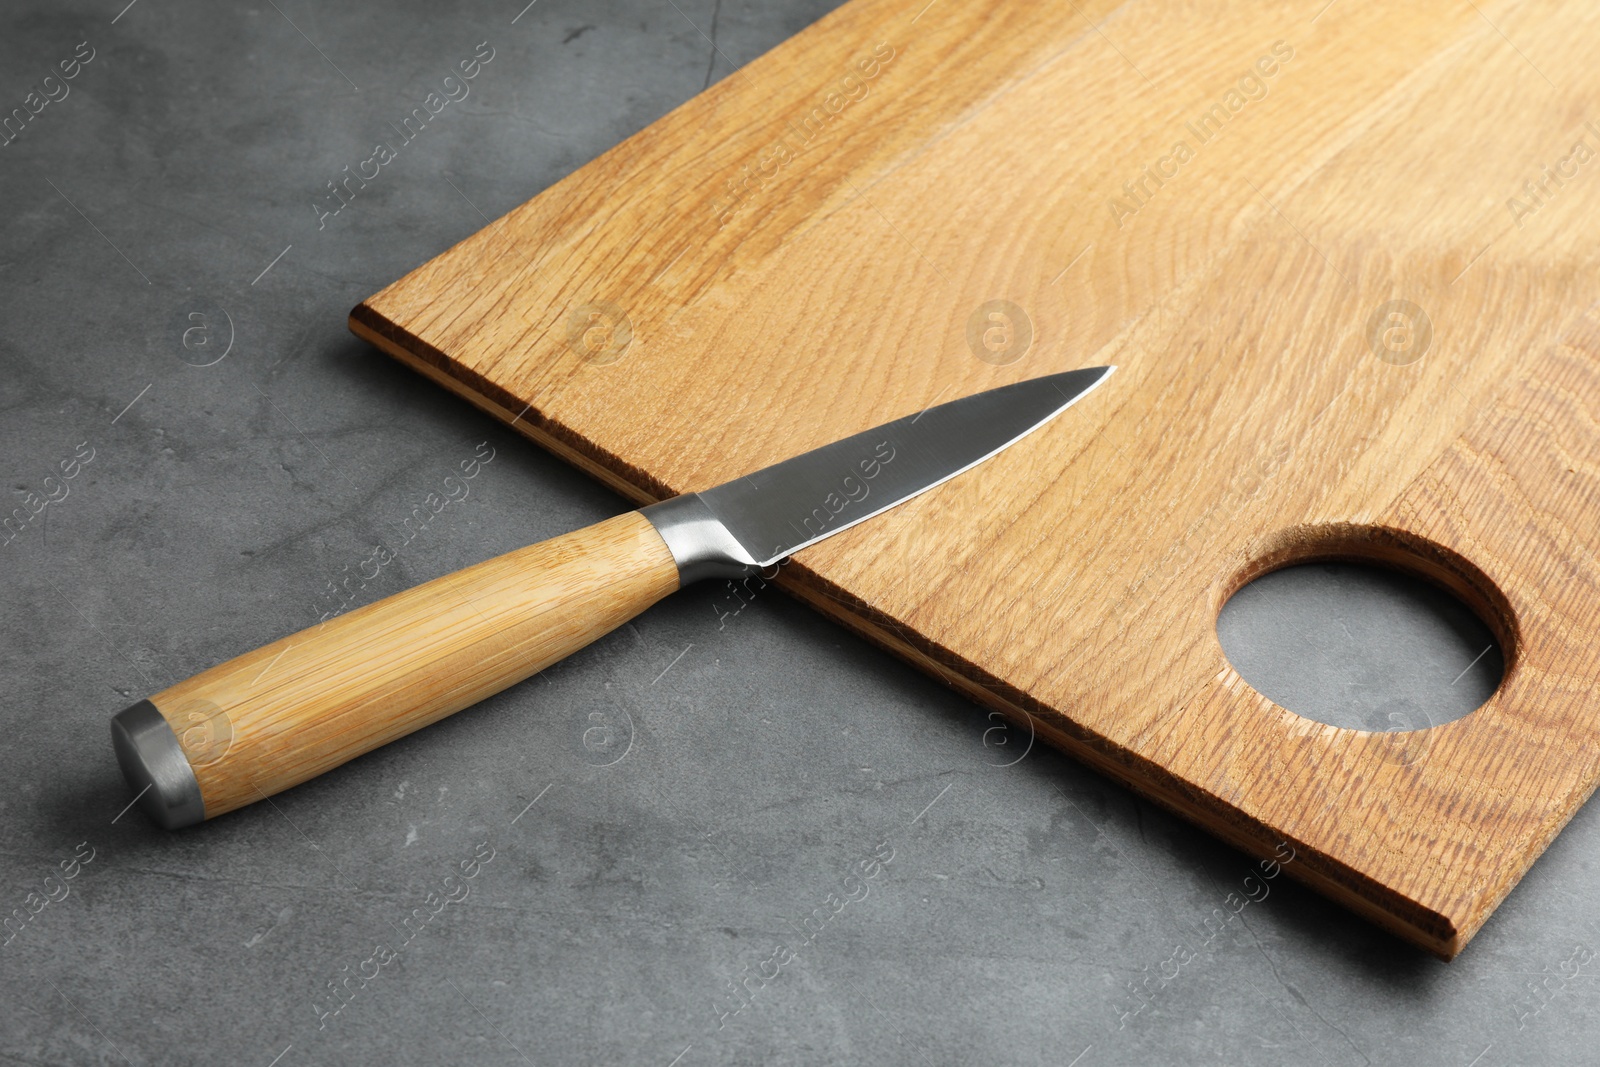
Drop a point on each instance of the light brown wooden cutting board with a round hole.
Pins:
(1346, 262)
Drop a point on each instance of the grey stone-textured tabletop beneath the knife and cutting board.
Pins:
(759, 841)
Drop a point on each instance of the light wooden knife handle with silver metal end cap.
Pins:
(302, 706)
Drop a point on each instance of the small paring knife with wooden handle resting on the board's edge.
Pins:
(290, 711)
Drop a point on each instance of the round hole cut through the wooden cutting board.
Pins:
(1367, 629)
